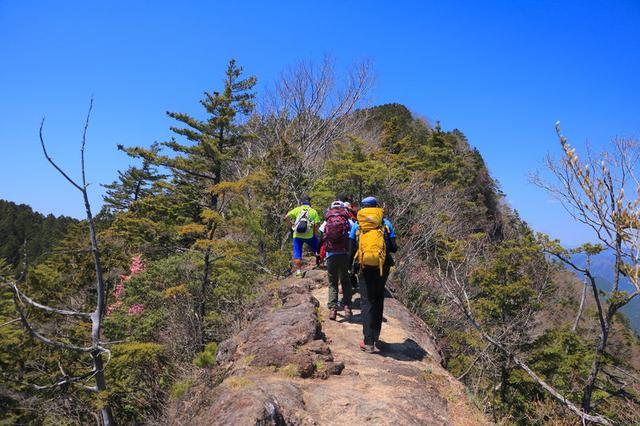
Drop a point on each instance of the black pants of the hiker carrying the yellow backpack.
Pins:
(371, 286)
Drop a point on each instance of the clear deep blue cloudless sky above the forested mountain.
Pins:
(501, 71)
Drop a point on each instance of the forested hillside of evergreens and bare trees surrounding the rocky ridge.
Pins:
(193, 236)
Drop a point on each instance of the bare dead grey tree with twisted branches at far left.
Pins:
(96, 348)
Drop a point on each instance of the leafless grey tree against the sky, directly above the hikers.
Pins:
(307, 110)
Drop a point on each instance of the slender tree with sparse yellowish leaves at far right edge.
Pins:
(603, 193)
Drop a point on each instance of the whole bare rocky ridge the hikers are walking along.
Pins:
(291, 365)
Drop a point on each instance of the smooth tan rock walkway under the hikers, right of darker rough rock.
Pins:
(401, 384)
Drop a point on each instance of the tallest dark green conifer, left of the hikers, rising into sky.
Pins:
(201, 168)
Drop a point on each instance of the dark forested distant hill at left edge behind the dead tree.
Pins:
(18, 222)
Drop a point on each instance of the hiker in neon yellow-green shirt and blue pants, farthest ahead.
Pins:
(304, 222)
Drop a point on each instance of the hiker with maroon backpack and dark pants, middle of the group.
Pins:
(335, 237)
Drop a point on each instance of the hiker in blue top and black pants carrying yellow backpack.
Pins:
(372, 240)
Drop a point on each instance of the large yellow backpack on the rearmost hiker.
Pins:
(372, 249)
